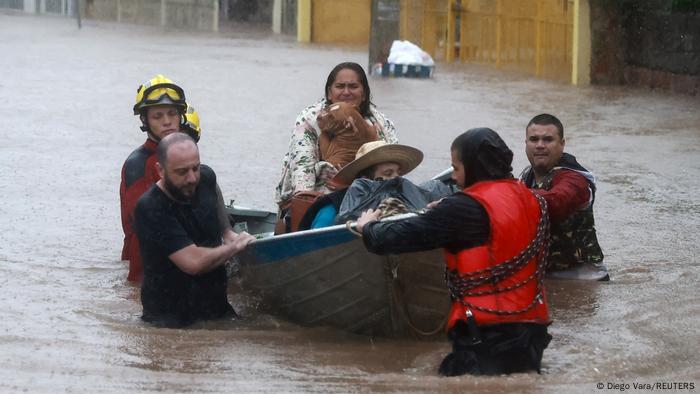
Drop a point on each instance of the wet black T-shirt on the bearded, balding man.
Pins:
(169, 296)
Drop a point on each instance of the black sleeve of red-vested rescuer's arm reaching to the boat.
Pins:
(457, 222)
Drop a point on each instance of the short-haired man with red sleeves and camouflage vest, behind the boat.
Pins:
(569, 190)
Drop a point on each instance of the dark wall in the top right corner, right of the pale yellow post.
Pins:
(647, 43)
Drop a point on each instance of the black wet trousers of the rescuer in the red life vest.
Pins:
(499, 349)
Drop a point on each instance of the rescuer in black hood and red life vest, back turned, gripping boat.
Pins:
(495, 235)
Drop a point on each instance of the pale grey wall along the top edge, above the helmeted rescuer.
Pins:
(193, 14)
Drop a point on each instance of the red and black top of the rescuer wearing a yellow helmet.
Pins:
(138, 174)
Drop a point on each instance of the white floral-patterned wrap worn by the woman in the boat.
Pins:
(302, 164)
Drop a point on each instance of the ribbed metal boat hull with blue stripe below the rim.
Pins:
(326, 277)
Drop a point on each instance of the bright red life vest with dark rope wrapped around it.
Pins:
(514, 214)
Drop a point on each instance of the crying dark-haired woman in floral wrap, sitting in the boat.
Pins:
(303, 167)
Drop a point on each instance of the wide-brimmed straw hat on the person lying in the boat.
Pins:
(377, 152)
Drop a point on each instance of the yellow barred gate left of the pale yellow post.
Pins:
(533, 36)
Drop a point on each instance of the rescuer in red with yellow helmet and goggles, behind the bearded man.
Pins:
(162, 109)
